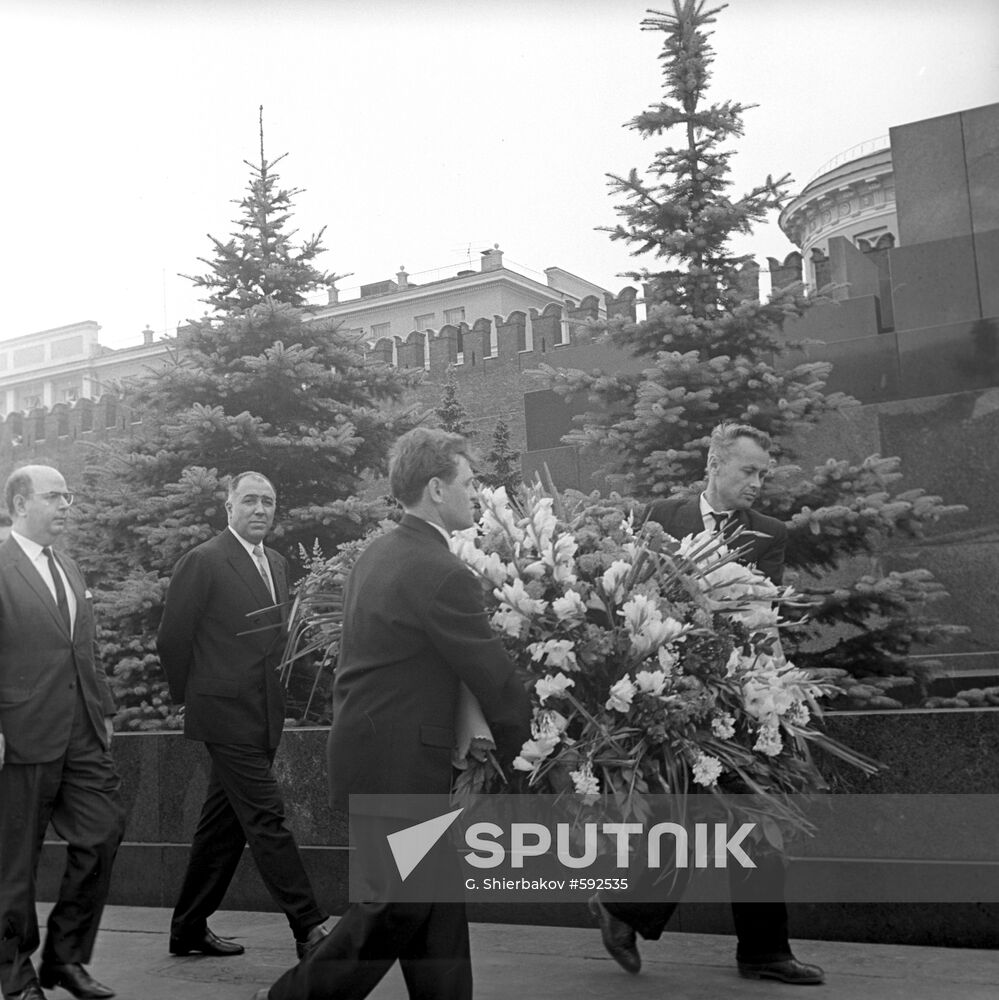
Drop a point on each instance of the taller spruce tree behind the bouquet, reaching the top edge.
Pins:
(709, 352)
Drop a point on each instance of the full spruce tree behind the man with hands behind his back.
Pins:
(259, 385)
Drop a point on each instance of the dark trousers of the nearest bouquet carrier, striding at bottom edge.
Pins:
(427, 936)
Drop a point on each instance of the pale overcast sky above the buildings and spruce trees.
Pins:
(422, 131)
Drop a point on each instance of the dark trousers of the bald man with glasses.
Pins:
(80, 794)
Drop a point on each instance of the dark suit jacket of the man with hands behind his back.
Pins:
(228, 682)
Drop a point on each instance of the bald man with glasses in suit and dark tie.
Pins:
(55, 739)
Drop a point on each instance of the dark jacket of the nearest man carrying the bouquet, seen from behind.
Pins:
(414, 628)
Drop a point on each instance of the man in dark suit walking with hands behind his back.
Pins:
(220, 642)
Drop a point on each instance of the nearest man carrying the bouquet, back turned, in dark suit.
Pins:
(414, 629)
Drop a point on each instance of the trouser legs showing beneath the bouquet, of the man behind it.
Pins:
(758, 909)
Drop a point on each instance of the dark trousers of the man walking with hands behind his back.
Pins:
(243, 805)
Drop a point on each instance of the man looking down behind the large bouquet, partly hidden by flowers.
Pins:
(738, 462)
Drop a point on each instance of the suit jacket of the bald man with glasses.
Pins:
(42, 667)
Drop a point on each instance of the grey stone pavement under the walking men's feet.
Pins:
(516, 962)
